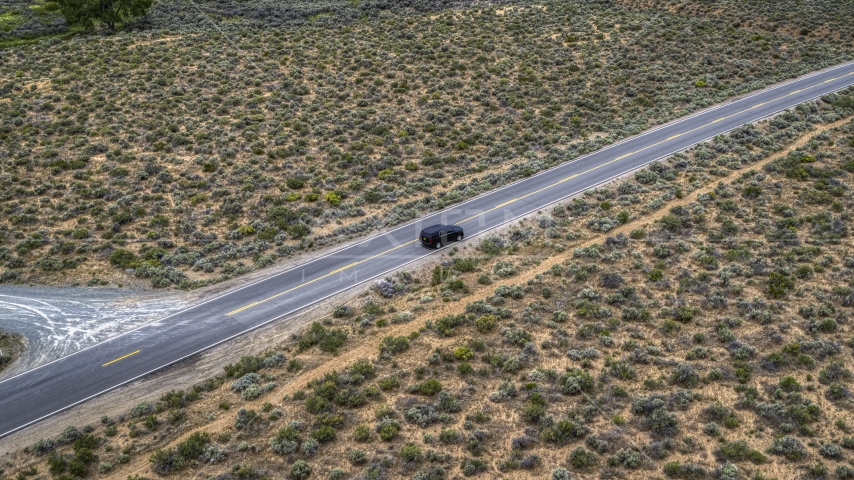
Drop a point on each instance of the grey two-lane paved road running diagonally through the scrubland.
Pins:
(35, 395)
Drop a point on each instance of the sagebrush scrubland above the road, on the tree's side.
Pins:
(212, 138)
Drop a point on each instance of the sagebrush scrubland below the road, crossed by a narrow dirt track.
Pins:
(689, 321)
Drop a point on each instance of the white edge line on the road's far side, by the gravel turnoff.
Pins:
(453, 206)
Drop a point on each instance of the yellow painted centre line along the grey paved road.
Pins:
(621, 157)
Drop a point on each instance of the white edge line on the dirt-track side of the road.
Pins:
(314, 303)
